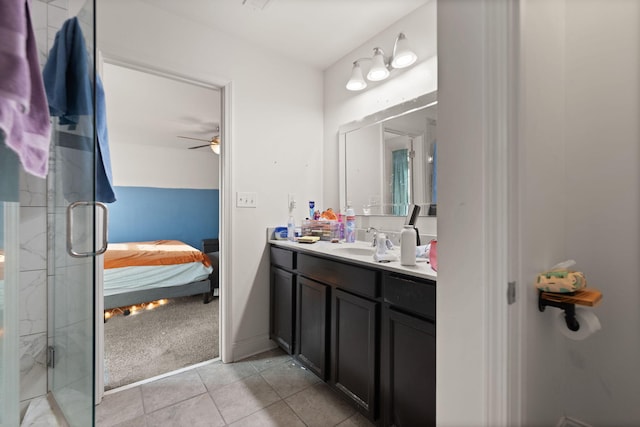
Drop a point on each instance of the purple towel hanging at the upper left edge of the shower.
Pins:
(24, 112)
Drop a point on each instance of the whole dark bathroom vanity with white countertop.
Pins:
(367, 329)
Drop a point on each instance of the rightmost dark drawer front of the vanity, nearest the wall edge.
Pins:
(409, 294)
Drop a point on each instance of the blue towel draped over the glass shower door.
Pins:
(70, 94)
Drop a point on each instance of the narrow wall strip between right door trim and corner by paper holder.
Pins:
(542, 237)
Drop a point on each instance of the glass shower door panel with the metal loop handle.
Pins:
(73, 240)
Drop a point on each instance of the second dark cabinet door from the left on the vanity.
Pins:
(311, 326)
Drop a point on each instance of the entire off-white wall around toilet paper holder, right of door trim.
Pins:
(581, 104)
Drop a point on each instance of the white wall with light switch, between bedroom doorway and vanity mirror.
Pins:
(276, 136)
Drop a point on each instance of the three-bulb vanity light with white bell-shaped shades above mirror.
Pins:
(381, 66)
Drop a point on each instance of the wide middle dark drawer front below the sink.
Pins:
(348, 277)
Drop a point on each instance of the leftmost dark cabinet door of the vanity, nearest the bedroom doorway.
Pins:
(282, 317)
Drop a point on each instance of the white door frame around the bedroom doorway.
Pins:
(225, 219)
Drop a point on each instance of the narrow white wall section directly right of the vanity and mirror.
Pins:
(461, 378)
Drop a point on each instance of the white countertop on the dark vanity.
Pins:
(421, 269)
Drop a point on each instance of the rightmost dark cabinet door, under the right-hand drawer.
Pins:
(408, 370)
